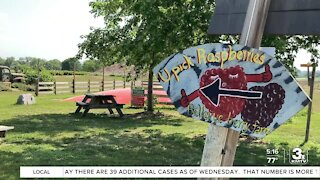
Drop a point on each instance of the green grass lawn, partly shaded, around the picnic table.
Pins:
(48, 133)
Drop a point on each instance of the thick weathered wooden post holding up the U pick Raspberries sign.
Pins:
(221, 143)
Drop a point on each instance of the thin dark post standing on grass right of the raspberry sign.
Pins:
(310, 104)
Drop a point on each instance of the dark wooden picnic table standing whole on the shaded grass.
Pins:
(99, 101)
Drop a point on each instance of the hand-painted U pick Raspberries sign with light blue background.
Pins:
(235, 87)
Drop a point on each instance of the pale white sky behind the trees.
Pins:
(51, 29)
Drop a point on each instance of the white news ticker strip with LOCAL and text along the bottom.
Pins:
(169, 172)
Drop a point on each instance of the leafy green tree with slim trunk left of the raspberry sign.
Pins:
(145, 32)
